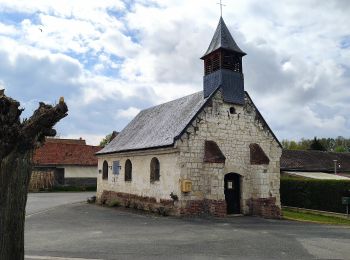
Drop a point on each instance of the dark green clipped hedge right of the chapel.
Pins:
(314, 194)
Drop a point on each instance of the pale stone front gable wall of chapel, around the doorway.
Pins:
(233, 133)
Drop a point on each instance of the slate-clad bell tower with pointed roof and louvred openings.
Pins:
(223, 66)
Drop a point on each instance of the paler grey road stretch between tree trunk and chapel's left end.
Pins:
(38, 202)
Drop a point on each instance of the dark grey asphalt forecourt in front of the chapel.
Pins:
(82, 231)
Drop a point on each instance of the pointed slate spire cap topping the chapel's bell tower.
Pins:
(223, 39)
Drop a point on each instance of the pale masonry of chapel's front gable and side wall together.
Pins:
(233, 133)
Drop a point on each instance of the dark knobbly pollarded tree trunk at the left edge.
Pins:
(17, 142)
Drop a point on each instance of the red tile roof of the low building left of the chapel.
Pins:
(66, 152)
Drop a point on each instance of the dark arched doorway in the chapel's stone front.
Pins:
(233, 193)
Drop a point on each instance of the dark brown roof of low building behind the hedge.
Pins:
(295, 160)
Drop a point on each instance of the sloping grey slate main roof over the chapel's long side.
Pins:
(157, 126)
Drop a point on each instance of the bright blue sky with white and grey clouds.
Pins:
(110, 59)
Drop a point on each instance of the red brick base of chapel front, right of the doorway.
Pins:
(264, 207)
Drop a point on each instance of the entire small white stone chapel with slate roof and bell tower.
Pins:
(209, 153)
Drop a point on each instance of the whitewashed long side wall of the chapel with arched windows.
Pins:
(140, 184)
